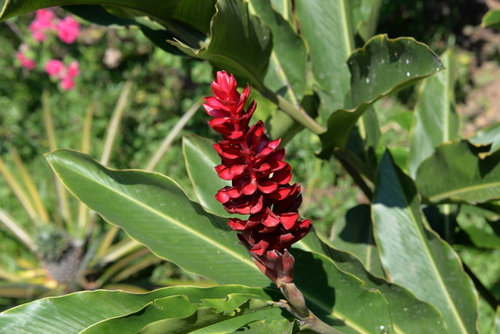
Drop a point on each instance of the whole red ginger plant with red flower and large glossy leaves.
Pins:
(390, 266)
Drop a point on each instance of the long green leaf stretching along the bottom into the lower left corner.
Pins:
(118, 311)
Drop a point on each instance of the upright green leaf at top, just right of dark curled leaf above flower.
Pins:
(286, 74)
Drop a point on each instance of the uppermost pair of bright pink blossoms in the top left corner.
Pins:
(46, 21)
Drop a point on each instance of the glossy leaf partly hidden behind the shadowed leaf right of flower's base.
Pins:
(409, 315)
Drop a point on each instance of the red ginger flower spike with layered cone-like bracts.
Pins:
(260, 181)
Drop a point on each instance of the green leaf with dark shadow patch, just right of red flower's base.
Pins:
(330, 293)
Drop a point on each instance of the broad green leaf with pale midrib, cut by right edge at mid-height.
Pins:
(456, 173)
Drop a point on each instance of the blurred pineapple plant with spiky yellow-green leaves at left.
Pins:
(73, 250)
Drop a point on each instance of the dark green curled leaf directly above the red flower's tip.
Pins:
(240, 44)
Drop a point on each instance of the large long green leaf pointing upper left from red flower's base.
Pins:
(154, 211)
